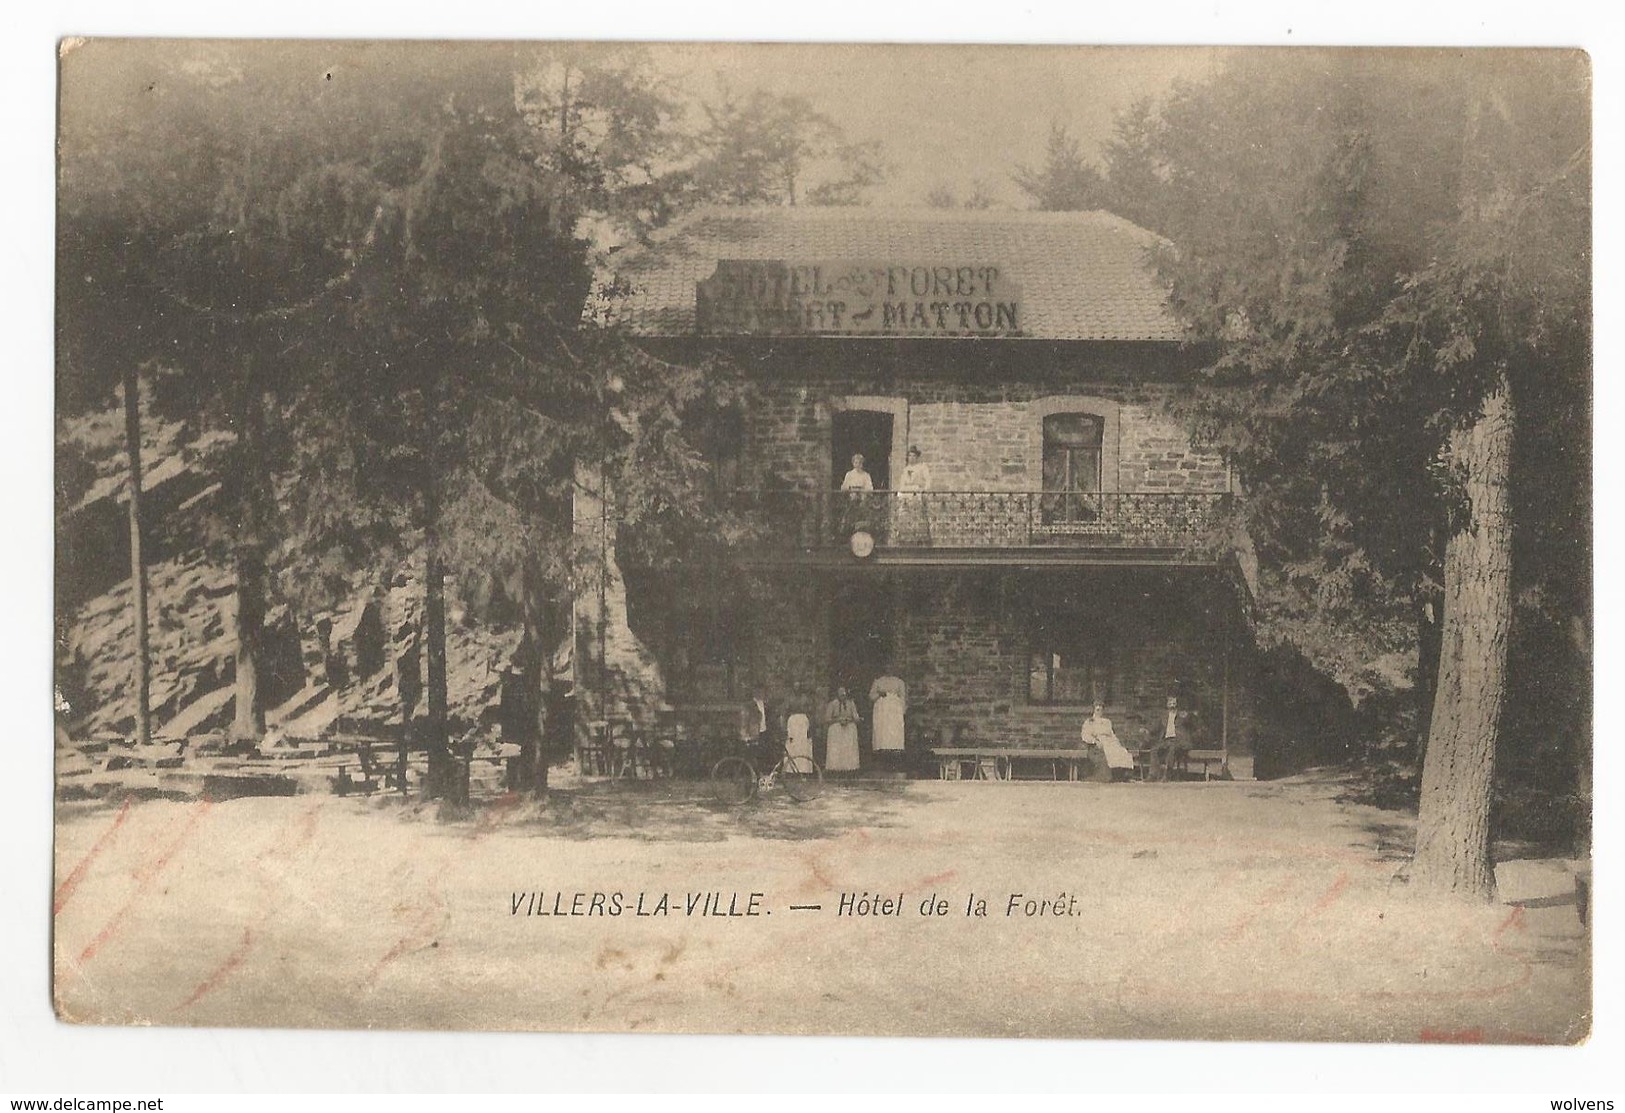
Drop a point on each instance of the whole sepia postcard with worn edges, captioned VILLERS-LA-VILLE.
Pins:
(828, 540)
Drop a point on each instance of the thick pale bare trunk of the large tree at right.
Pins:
(1454, 828)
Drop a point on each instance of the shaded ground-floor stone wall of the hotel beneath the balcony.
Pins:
(961, 641)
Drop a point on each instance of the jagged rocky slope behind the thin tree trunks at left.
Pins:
(362, 669)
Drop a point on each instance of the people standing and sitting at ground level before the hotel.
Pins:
(765, 729)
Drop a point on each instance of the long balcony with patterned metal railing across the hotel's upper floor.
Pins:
(1179, 526)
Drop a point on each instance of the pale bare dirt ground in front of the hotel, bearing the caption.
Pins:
(1192, 911)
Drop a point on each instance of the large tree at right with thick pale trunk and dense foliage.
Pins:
(1385, 295)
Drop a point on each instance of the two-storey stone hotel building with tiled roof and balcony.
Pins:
(1070, 545)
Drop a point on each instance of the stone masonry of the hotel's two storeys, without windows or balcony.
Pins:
(961, 639)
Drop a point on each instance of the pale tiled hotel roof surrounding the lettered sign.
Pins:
(1081, 275)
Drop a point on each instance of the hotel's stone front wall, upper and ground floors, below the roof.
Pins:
(966, 639)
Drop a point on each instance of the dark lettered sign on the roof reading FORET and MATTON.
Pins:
(859, 298)
